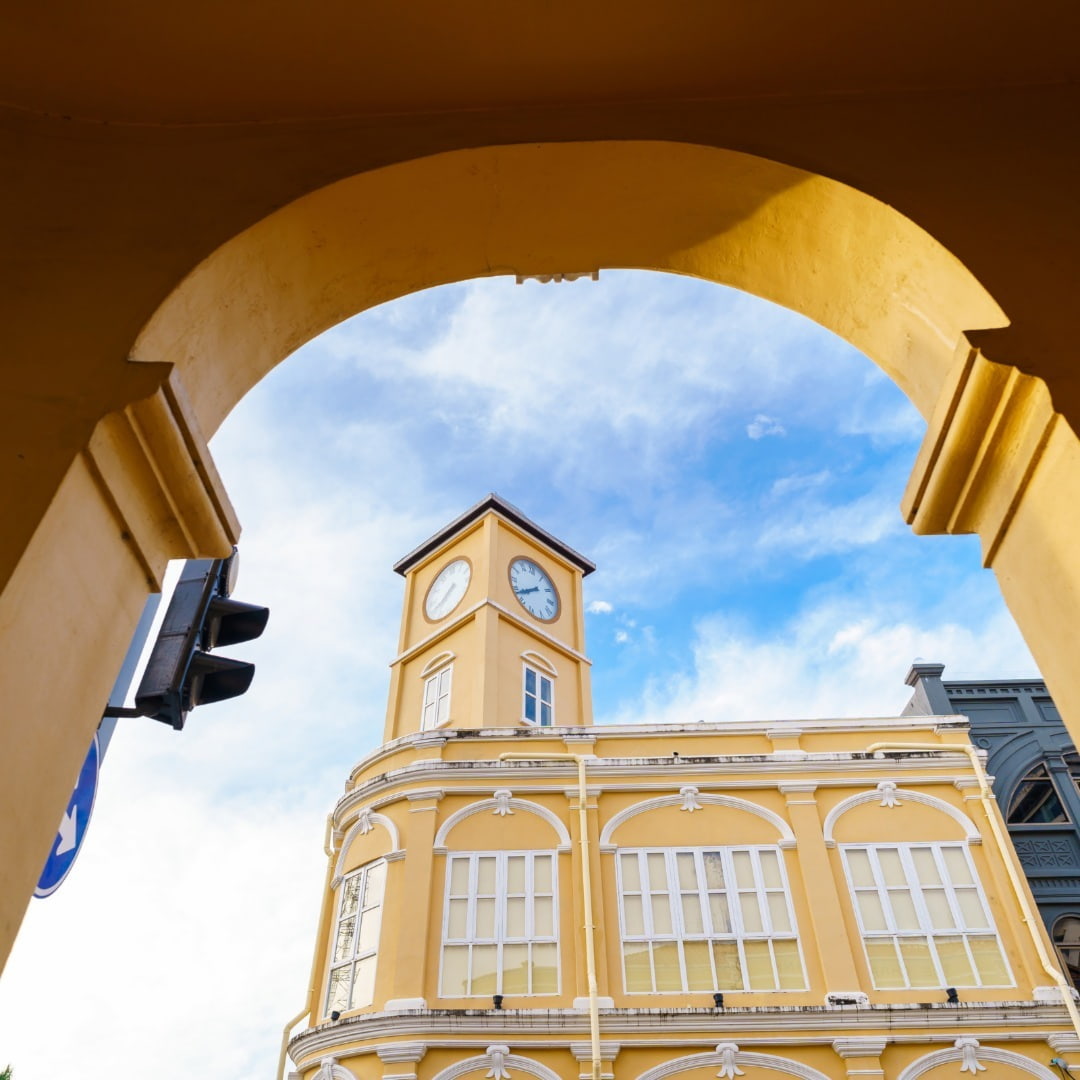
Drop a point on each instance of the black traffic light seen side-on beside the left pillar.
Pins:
(182, 672)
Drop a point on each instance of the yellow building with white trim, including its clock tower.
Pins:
(516, 893)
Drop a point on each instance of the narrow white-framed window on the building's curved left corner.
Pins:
(357, 939)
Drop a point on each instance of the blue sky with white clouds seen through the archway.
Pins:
(734, 471)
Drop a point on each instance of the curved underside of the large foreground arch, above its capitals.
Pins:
(845, 260)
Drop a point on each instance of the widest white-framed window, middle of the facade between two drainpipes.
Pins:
(708, 920)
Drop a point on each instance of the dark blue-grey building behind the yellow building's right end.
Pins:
(1036, 775)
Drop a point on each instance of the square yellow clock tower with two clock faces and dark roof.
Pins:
(493, 629)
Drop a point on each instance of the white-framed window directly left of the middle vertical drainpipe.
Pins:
(501, 925)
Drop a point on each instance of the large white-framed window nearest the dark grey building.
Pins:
(924, 919)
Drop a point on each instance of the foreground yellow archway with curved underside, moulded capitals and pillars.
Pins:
(997, 460)
